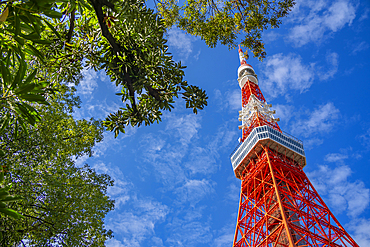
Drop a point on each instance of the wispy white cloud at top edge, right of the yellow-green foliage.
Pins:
(321, 20)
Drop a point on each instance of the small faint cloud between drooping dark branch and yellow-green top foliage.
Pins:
(181, 42)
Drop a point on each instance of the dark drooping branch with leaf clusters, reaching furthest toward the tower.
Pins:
(135, 56)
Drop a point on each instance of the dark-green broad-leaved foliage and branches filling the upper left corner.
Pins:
(125, 38)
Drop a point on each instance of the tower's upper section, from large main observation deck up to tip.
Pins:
(255, 114)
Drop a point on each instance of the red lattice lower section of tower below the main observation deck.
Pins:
(279, 207)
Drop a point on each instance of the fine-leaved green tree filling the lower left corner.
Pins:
(62, 204)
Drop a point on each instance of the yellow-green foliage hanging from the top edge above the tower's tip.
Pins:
(225, 20)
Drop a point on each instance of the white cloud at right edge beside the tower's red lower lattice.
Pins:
(343, 195)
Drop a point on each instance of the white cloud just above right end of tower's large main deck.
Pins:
(321, 120)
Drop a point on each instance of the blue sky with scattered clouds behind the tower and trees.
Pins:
(174, 184)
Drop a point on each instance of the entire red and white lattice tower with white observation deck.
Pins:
(278, 204)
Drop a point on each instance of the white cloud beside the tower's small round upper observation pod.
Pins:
(282, 73)
